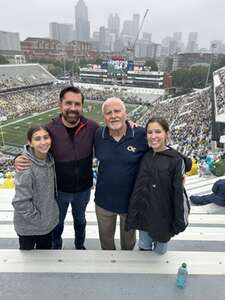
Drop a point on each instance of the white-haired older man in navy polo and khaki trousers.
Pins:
(119, 148)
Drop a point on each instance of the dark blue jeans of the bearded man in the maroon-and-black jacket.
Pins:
(79, 203)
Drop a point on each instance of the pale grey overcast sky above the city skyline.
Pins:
(32, 17)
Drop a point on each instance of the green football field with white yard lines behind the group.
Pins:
(14, 132)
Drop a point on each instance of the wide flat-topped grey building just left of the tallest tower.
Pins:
(61, 32)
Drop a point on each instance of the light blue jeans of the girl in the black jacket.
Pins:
(147, 243)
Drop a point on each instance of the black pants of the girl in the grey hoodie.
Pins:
(29, 242)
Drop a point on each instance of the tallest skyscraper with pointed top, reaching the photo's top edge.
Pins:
(82, 25)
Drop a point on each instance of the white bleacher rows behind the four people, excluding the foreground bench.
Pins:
(206, 222)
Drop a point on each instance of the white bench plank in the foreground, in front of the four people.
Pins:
(138, 262)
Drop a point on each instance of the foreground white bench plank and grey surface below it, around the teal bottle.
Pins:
(120, 275)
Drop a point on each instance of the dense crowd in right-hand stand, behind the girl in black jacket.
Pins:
(190, 119)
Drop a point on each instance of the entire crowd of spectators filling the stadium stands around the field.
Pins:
(189, 115)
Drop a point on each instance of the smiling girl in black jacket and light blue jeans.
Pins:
(158, 207)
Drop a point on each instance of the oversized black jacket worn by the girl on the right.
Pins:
(158, 204)
